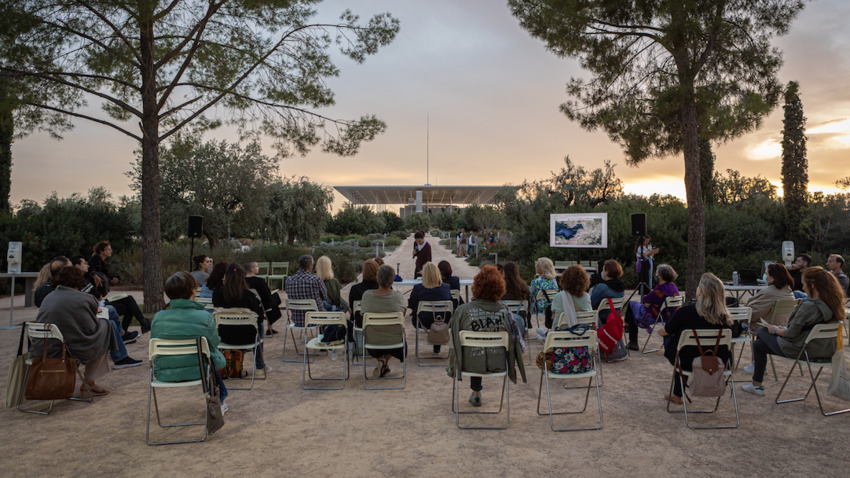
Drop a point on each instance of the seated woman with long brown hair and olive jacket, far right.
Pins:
(826, 305)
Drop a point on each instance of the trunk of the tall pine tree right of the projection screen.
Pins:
(696, 211)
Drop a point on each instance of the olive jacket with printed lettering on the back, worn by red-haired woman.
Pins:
(489, 316)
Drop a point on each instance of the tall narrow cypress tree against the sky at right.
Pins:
(795, 166)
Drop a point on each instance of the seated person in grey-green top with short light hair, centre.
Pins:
(384, 299)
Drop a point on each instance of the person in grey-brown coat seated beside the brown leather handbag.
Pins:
(88, 337)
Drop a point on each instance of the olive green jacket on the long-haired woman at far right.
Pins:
(810, 313)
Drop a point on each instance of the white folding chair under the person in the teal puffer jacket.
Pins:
(172, 348)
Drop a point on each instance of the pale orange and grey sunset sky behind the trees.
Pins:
(492, 94)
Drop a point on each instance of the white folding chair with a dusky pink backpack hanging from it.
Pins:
(707, 338)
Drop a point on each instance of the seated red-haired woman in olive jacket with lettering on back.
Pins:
(484, 313)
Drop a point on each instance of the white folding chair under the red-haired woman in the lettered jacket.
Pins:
(483, 340)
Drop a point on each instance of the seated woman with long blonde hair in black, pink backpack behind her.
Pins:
(709, 312)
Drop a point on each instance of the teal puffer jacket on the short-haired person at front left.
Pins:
(185, 319)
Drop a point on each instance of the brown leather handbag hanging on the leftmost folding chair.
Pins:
(51, 378)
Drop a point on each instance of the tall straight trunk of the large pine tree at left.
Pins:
(151, 234)
